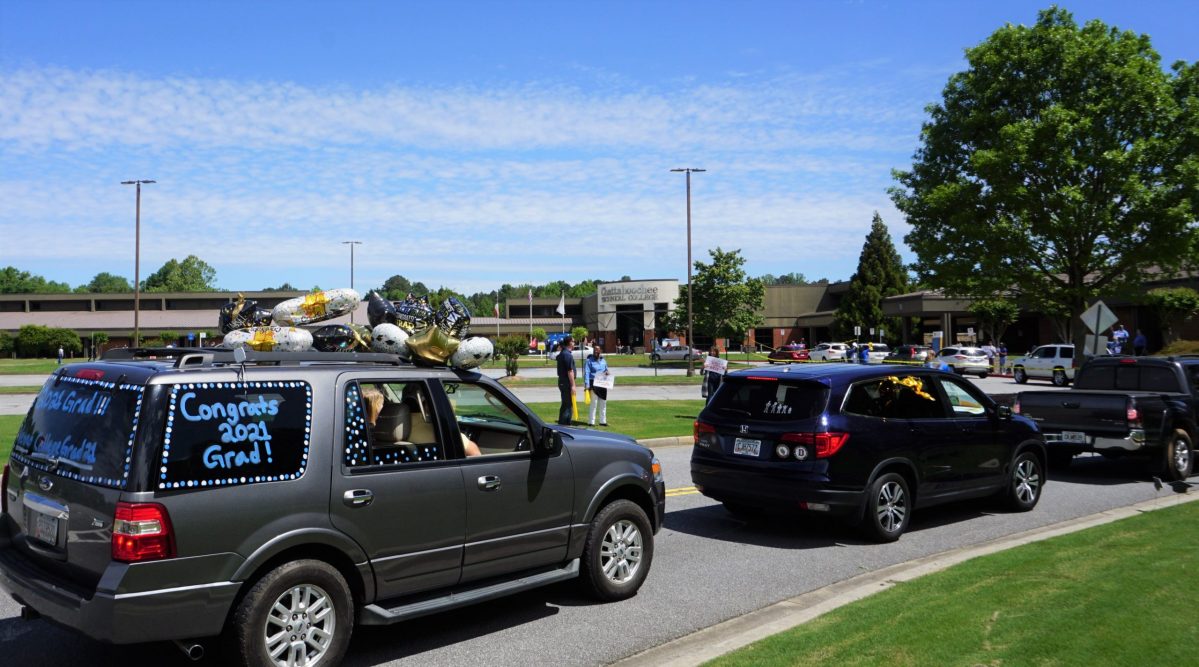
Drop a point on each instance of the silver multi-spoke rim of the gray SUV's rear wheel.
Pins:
(300, 627)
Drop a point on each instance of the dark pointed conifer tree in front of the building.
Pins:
(881, 274)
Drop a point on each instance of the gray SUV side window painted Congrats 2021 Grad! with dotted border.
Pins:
(236, 434)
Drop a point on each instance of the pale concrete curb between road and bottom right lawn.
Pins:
(737, 633)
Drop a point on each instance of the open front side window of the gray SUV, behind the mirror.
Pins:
(487, 424)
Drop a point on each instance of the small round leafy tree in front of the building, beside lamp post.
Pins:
(727, 302)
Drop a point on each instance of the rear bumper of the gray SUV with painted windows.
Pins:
(119, 618)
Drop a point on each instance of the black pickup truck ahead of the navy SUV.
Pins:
(1123, 406)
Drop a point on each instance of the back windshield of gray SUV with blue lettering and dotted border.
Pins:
(82, 430)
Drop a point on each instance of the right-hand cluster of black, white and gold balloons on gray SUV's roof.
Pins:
(414, 331)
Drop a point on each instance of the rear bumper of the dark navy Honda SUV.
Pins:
(775, 491)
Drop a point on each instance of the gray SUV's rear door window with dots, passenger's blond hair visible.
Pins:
(390, 424)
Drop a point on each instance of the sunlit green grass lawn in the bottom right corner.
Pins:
(1117, 594)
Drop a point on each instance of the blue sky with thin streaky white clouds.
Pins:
(472, 145)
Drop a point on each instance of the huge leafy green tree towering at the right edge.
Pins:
(1061, 166)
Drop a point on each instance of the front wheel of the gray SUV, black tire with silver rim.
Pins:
(618, 552)
